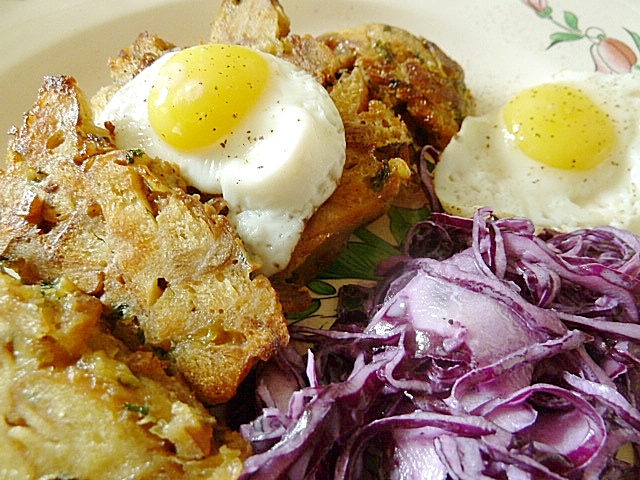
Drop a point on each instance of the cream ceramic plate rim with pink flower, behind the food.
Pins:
(502, 44)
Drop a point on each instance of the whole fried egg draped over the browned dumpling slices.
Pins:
(242, 124)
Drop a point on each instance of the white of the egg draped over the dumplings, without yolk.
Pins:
(282, 162)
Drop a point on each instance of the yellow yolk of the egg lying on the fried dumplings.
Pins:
(202, 93)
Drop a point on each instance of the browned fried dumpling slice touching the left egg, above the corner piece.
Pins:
(120, 225)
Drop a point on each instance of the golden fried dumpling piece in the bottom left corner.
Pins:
(77, 403)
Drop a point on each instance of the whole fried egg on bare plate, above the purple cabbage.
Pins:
(565, 154)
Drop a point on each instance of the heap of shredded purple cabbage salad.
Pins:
(488, 351)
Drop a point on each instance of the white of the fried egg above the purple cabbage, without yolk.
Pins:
(482, 166)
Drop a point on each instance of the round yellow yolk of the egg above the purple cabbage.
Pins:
(560, 126)
